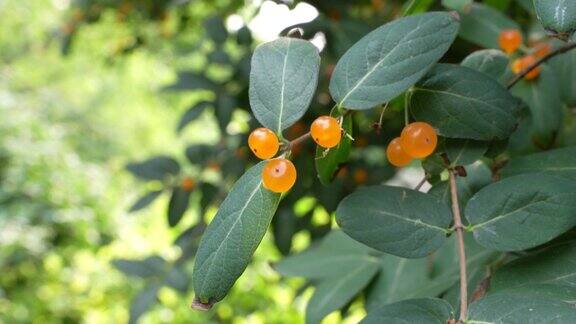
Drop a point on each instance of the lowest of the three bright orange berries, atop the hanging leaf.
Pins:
(279, 175)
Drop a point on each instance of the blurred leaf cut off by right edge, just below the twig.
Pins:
(564, 66)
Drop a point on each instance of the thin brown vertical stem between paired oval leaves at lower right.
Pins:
(461, 251)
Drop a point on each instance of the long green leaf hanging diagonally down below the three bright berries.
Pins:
(232, 237)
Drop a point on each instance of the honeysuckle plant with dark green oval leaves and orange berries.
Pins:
(491, 241)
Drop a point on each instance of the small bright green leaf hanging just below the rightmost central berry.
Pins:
(327, 165)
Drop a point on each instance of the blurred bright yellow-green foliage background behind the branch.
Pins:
(82, 94)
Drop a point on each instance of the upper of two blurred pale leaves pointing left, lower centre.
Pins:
(335, 256)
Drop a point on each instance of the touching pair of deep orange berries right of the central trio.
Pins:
(417, 140)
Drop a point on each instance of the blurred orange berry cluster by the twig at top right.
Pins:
(511, 40)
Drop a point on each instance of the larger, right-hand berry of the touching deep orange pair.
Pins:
(418, 139)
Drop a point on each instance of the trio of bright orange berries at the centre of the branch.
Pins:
(279, 175)
